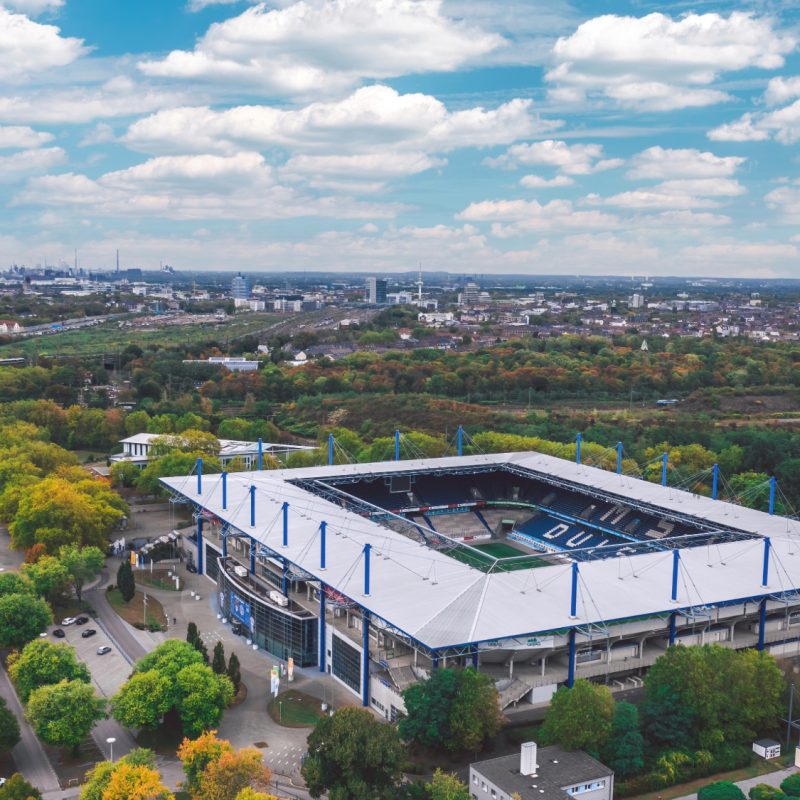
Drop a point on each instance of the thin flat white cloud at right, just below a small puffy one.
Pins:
(675, 194)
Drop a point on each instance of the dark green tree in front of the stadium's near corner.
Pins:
(452, 710)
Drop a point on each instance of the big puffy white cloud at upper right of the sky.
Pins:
(658, 63)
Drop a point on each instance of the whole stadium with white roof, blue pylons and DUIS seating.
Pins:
(534, 569)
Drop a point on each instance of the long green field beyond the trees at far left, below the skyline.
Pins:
(110, 337)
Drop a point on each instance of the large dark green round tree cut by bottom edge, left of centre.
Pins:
(352, 756)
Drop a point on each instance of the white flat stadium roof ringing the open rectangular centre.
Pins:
(441, 602)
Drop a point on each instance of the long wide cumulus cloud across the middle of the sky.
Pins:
(374, 133)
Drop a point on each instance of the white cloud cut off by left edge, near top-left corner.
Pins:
(28, 47)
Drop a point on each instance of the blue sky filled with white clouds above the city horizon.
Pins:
(575, 137)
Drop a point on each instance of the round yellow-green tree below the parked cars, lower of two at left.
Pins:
(63, 714)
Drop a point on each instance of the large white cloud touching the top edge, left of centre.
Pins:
(316, 46)
